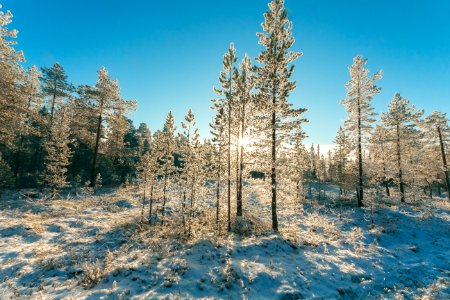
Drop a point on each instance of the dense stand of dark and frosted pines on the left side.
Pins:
(53, 134)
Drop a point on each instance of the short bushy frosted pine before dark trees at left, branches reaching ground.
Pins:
(57, 153)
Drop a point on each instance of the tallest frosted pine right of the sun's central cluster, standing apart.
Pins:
(360, 90)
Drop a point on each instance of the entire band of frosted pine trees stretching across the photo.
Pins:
(56, 136)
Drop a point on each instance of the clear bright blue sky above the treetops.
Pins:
(167, 54)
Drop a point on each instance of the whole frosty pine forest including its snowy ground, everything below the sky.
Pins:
(154, 213)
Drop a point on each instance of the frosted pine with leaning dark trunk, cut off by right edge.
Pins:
(438, 132)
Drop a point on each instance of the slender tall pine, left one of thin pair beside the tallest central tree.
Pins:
(226, 79)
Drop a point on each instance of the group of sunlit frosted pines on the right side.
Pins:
(402, 149)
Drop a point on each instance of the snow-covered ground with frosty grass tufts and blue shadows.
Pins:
(94, 248)
